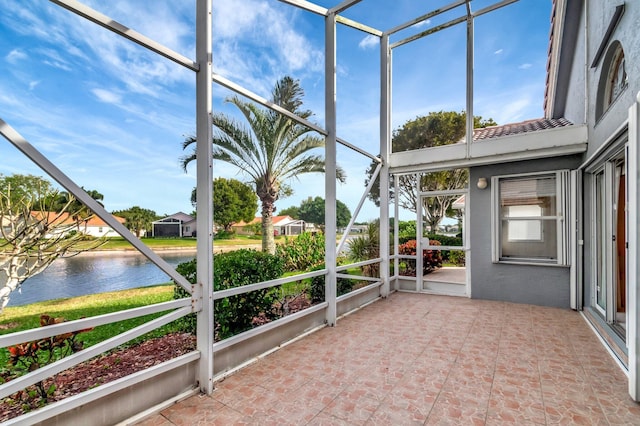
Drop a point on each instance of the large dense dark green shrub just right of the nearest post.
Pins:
(236, 314)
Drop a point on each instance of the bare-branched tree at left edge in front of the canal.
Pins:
(33, 234)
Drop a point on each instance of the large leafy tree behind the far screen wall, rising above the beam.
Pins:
(436, 129)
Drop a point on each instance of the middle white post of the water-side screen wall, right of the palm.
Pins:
(330, 233)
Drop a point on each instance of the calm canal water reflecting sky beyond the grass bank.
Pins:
(89, 274)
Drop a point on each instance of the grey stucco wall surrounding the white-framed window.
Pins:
(533, 284)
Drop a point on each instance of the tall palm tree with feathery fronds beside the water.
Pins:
(273, 149)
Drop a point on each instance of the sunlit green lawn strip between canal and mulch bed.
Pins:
(28, 317)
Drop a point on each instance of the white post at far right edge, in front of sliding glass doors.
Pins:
(633, 252)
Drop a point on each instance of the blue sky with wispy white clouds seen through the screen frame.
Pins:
(112, 116)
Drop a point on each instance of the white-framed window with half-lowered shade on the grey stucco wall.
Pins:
(528, 218)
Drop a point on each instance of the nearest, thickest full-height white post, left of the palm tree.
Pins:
(203, 290)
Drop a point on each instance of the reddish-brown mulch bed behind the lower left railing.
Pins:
(103, 369)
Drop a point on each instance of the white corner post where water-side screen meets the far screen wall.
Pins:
(385, 150)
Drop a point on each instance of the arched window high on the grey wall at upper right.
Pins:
(613, 78)
